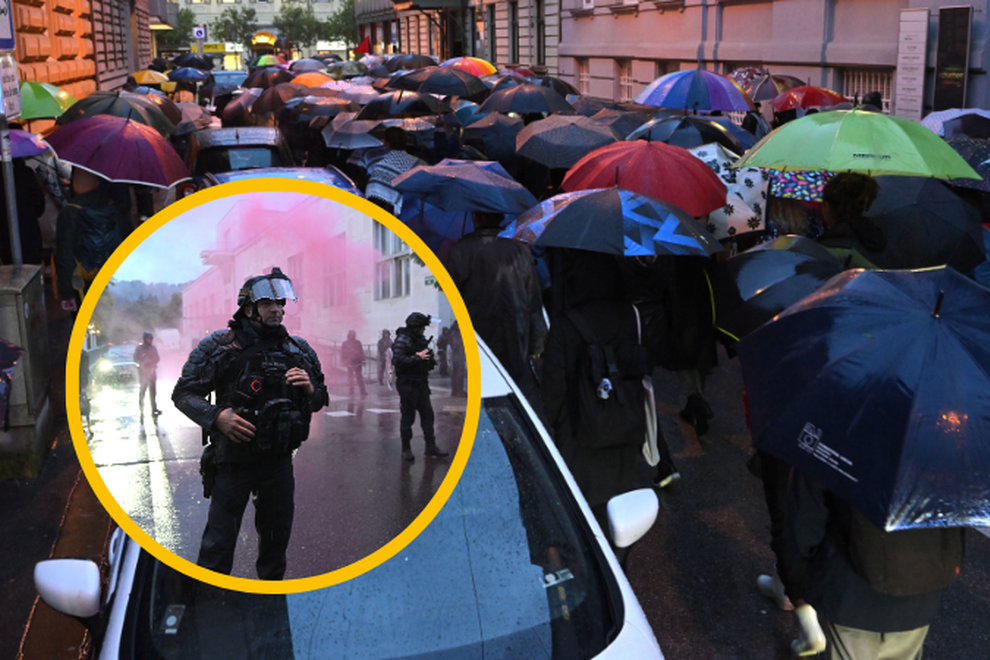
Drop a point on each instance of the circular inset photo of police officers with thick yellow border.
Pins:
(278, 386)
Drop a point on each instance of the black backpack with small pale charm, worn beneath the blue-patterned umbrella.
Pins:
(608, 394)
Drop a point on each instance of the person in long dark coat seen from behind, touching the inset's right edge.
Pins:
(498, 281)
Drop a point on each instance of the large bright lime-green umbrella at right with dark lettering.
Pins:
(857, 141)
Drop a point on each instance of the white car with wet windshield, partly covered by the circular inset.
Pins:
(514, 566)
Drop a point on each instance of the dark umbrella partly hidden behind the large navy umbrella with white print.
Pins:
(754, 286)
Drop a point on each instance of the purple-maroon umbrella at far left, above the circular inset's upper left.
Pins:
(119, 149)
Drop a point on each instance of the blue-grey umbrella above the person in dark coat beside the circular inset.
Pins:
(462, 185)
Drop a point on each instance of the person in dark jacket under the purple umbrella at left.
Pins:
(87, 233)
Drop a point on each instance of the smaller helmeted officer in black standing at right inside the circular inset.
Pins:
(413, 361)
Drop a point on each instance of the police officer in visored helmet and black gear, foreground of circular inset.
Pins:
(267, 385)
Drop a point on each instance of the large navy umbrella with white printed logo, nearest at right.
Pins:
(876, 387)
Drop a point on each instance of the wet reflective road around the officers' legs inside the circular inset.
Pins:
(353, 493)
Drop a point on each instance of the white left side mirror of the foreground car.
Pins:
(71, 586)
